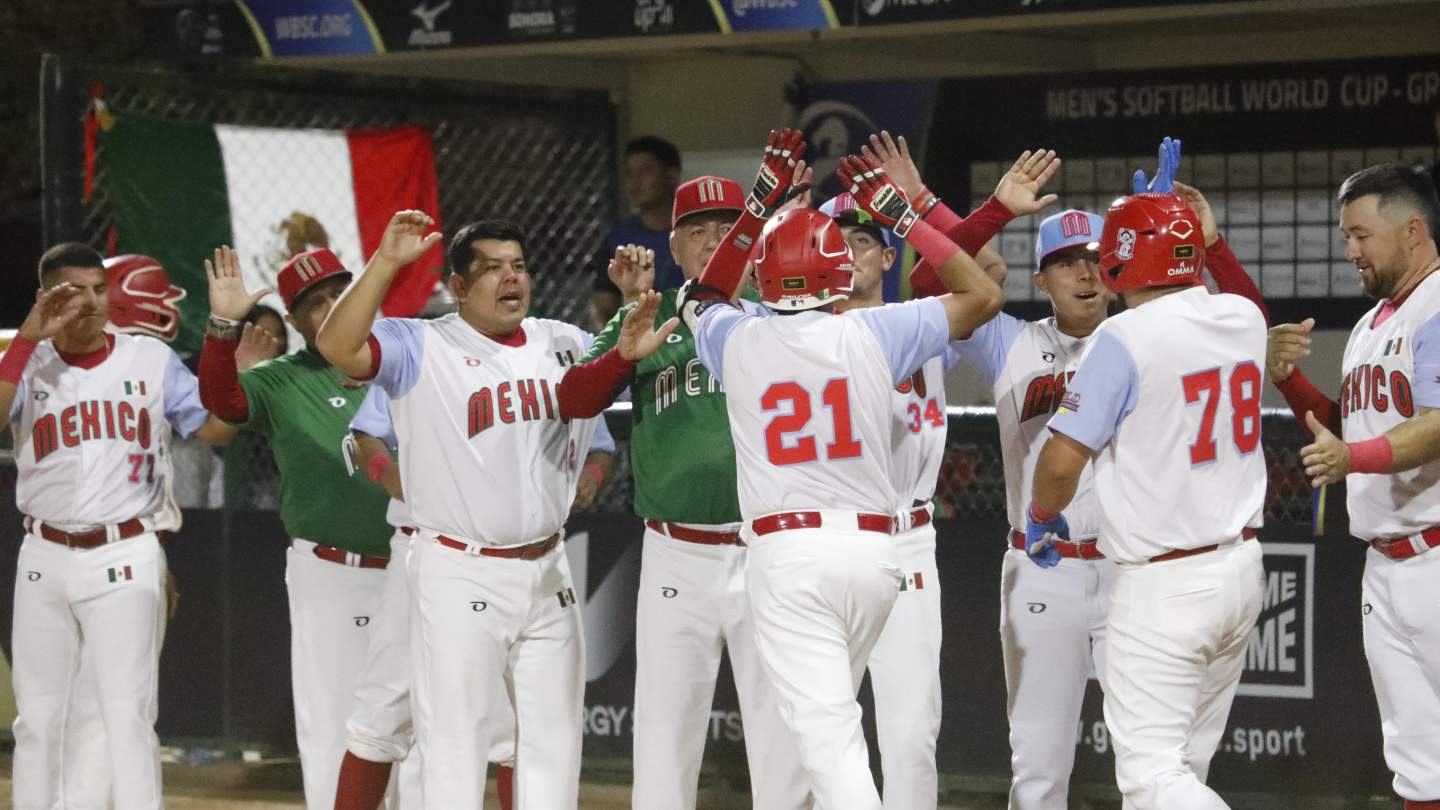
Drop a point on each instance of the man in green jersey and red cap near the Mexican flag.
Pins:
(335, 567)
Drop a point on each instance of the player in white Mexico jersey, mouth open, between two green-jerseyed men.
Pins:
(489, 469)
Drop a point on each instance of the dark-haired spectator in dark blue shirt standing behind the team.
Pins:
(652, 177)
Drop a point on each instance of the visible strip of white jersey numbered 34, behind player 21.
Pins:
(919, 429)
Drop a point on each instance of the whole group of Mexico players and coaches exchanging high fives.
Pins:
(786, 462)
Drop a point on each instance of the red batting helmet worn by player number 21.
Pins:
(803, 262)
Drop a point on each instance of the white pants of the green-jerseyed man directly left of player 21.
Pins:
(692, 607)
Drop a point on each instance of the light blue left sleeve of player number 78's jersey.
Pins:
(1101, 396)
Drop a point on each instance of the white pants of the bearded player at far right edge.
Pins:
(1403, 651)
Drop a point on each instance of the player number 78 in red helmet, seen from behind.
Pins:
(1167, 403)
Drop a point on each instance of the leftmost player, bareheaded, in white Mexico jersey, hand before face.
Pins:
(91, 413)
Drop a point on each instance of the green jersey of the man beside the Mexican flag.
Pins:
(305, 407)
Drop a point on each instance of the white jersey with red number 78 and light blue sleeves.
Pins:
(1169, 399)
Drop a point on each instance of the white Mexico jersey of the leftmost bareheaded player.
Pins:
(93, 445)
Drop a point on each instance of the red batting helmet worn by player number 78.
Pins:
(1151, 241)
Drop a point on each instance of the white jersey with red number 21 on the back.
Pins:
(810, 400)
